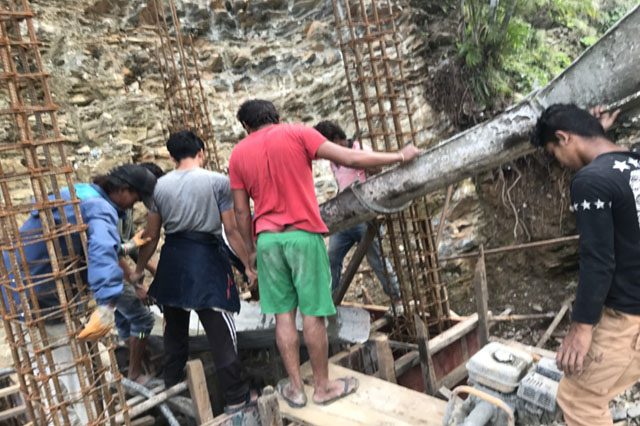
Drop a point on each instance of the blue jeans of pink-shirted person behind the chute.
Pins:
(339, 245)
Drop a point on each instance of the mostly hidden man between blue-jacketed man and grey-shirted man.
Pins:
(135, 325)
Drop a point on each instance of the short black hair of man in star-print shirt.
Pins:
(566, 117)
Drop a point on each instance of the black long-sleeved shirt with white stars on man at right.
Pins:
(606, 198)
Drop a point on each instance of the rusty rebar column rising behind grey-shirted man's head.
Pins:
(184, 93)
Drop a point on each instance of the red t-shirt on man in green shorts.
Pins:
(273, 165)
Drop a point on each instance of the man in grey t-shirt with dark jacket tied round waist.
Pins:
(194, 271)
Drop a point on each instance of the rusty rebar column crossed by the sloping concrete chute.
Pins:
(383, 112)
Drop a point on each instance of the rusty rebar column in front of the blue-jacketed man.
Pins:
(34, 172)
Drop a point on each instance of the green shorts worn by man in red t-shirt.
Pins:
(293, 271)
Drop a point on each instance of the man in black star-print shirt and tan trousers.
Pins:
(601, 353)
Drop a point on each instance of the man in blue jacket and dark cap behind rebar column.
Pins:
(100, 205)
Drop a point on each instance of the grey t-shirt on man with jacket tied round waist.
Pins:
(192, 200)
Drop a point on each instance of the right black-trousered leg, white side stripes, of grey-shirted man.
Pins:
(221, 334)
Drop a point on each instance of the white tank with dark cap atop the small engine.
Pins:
(499, 367)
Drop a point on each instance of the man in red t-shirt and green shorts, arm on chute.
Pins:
(272, 166)
